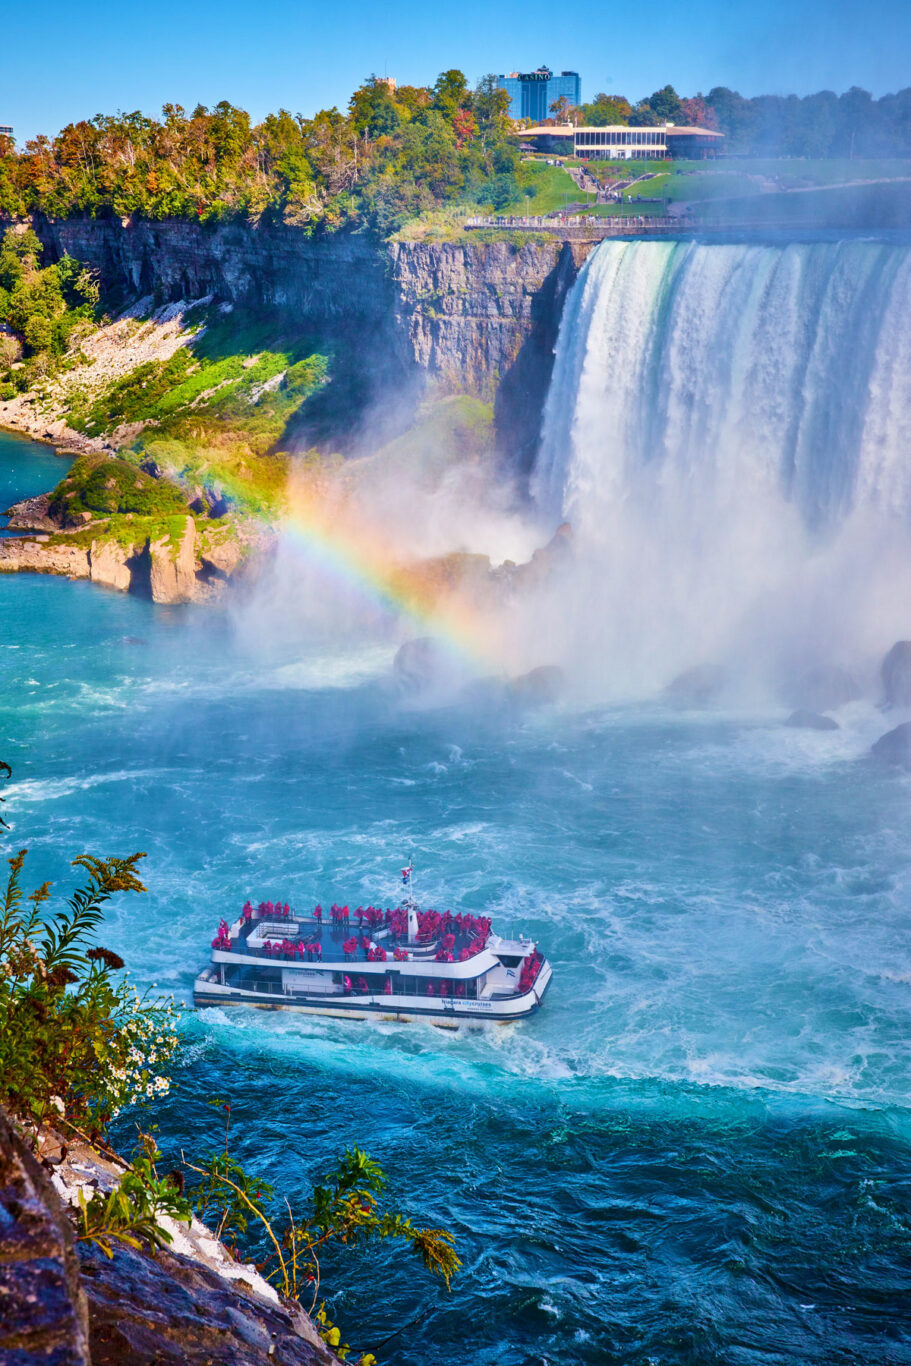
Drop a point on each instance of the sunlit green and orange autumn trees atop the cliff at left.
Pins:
(390, 156)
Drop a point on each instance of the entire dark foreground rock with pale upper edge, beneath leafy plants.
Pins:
(70, 1305)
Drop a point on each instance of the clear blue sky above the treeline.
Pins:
(62, 62)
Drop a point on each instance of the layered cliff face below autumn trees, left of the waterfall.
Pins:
(468, 319)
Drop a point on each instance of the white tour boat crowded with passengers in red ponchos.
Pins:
(371, 964)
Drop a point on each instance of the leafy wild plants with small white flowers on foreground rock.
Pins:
(79, 1046)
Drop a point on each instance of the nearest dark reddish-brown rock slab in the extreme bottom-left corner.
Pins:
(43, 1309)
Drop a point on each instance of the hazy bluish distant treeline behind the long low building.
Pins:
(824, 125)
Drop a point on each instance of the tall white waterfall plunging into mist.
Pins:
(727, 430)
